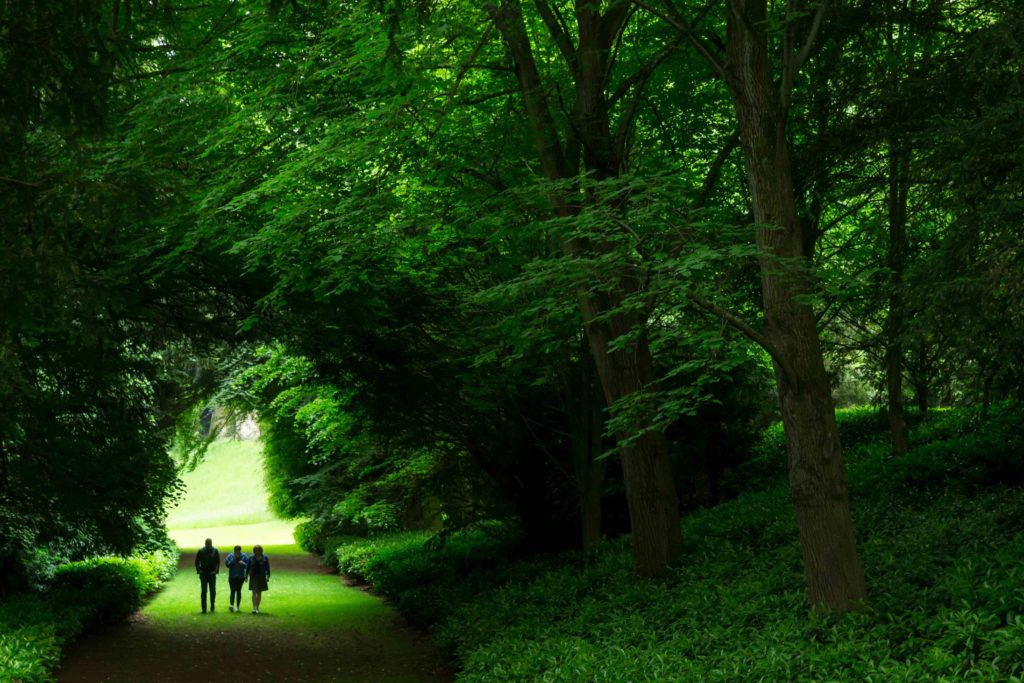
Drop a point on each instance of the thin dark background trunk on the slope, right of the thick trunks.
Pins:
(900, 184)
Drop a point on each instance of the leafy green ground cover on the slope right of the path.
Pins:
(944, 546)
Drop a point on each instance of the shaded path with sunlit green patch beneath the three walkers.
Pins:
(315, 629)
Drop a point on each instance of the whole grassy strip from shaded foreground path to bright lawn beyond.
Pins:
(312, 627)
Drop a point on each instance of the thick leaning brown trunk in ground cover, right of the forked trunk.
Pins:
(818, 478)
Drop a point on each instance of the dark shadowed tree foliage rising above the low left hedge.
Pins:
(103, 335)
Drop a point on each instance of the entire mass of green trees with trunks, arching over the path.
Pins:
(549, 262)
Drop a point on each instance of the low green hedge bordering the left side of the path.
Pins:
(34, 627)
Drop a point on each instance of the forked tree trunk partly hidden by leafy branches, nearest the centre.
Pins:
(628, 371)
